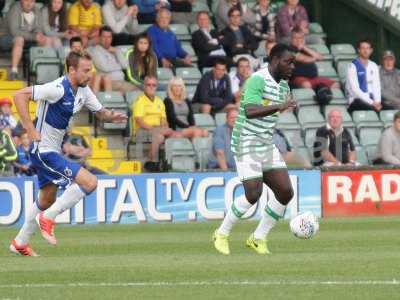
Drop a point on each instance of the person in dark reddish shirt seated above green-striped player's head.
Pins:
(290, 16)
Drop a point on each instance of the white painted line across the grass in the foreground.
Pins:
(198, 283)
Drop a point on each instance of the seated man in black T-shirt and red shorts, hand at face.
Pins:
(305, 73)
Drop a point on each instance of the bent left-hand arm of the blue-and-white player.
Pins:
(21, 100)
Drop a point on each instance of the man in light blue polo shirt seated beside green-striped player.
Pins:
(221, 156)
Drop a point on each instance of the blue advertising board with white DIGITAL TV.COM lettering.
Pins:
(168, 197)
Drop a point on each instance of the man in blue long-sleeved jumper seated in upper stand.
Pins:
(168, 49)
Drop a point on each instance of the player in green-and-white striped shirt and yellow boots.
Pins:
(258, 161)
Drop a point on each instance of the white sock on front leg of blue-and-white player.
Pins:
(71, 196)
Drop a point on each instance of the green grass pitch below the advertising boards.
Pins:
(348, 259)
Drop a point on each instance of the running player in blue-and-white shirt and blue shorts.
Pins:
(58, 101)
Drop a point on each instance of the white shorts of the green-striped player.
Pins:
(251, 166)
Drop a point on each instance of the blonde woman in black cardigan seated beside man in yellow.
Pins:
(179, 110)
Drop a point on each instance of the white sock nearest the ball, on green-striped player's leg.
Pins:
(274, 210)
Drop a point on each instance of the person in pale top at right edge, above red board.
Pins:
(389, 144)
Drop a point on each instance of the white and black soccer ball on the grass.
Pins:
(304, 225)
